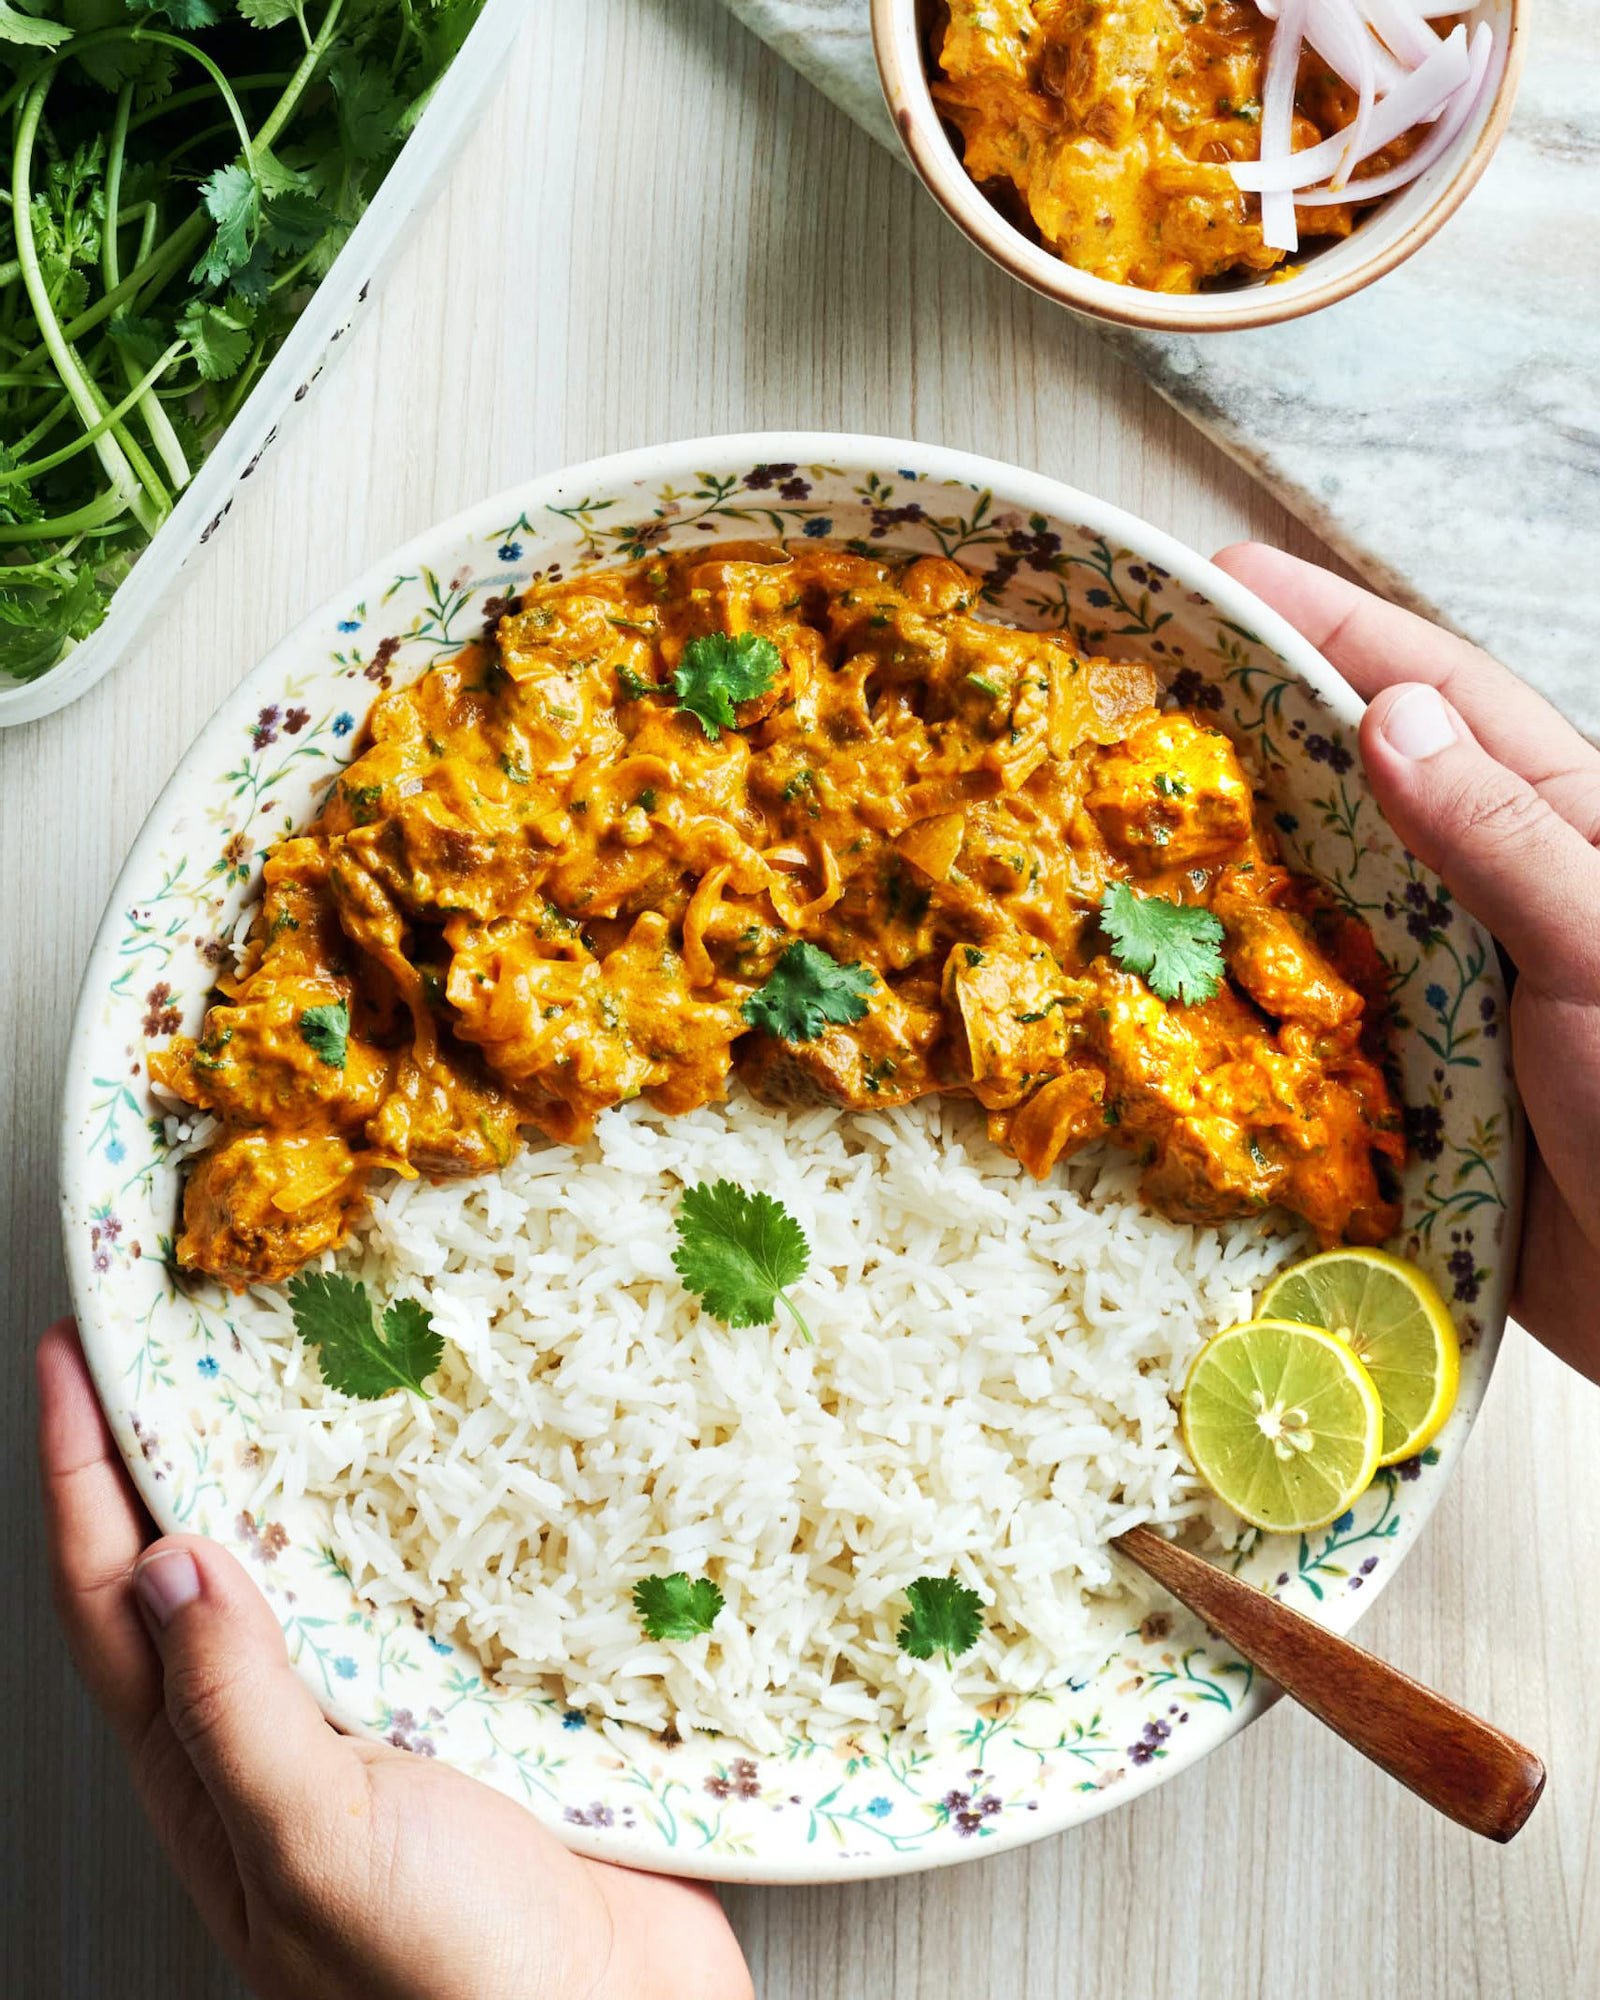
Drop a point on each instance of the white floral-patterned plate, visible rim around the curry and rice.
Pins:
(177, 1369)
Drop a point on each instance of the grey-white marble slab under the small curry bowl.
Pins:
(1441, 429)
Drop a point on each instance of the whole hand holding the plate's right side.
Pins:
(1501, 797)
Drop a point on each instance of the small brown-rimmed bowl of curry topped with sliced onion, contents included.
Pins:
(1111, 153)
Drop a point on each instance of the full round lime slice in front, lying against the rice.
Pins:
(1283, 1423)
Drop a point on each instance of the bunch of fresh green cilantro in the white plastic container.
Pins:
(187, 173)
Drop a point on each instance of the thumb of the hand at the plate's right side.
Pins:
(1501, 849)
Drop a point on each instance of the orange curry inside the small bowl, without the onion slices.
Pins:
(1115, 121)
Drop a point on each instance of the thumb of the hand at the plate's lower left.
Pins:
(249, 1725)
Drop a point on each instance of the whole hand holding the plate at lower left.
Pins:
(325, 1867)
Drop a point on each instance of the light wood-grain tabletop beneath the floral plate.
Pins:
(661, 233)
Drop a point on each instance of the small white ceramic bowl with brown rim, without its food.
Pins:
(1377, 245)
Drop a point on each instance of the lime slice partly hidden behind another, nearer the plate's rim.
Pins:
(1399, 1325)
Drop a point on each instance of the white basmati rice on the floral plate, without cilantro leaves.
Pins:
(989, 1395)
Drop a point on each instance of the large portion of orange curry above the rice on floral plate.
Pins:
(543, 889)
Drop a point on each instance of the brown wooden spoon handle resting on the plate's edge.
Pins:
(1461, 1765)
